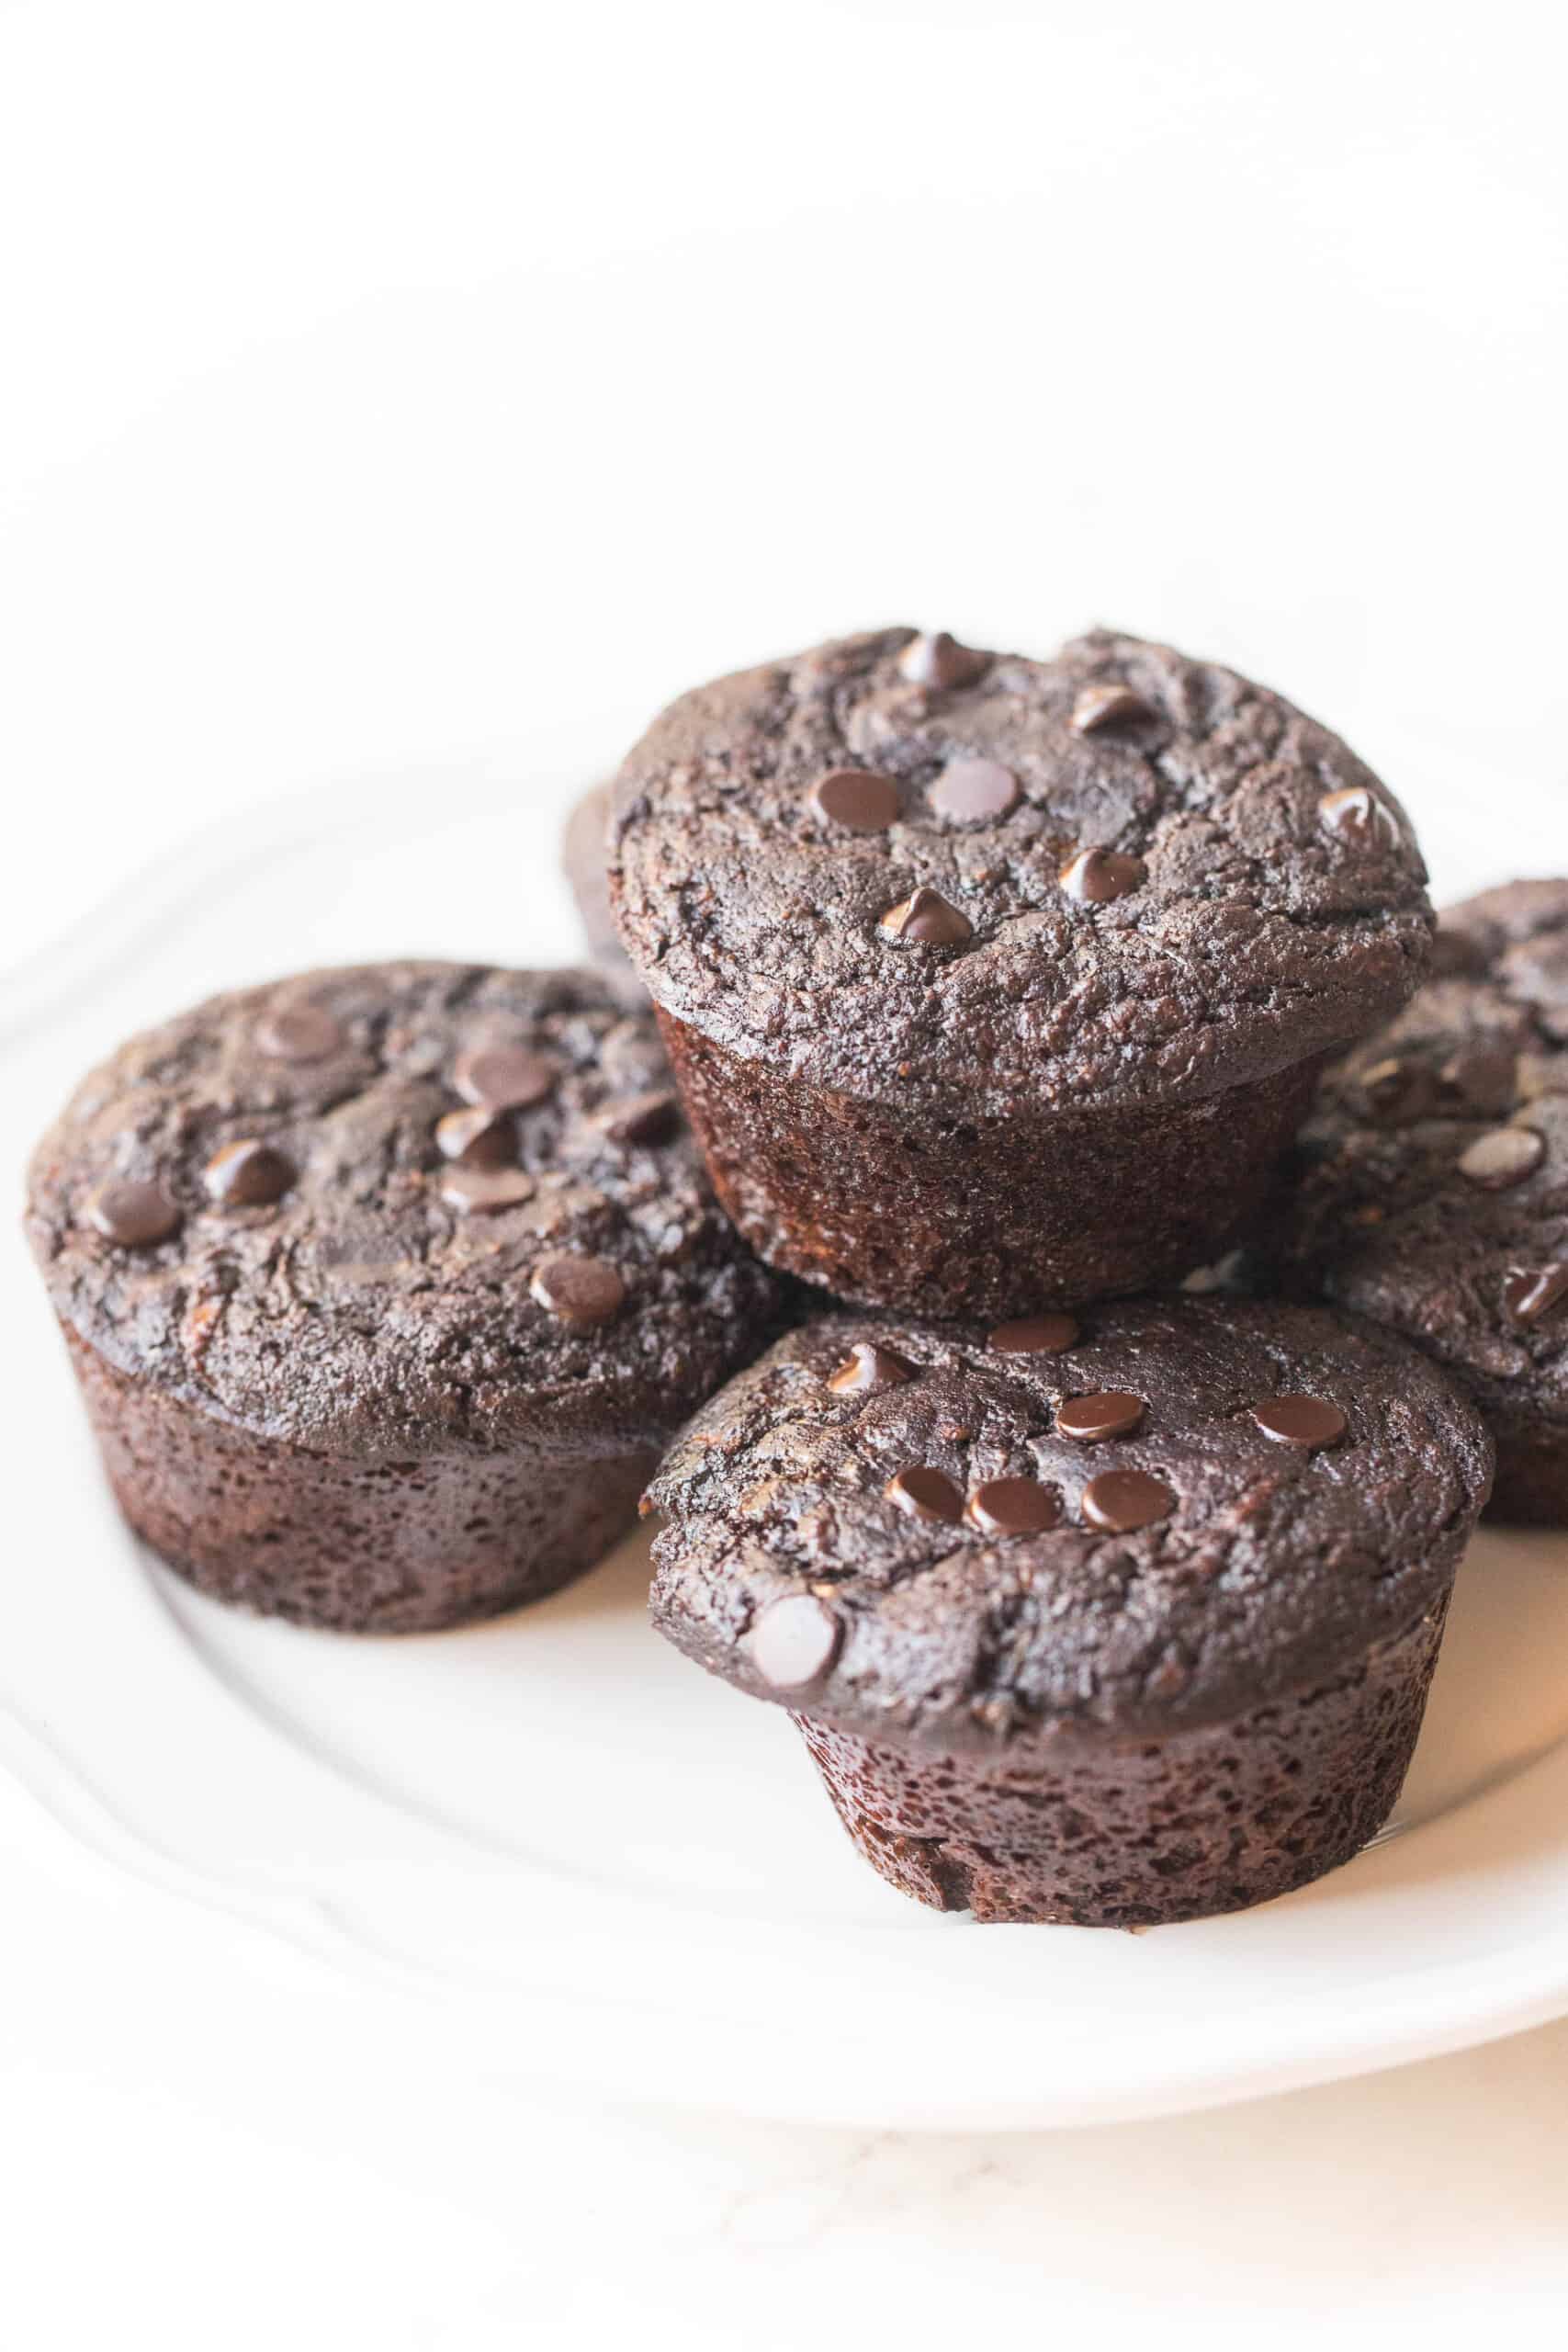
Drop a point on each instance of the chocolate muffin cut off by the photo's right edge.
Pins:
(1433, 1182)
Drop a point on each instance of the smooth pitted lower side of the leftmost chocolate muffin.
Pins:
(354, 1546)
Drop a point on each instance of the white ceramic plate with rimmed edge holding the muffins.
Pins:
(563, 1840)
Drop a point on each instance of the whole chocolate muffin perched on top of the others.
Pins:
(1000, 982)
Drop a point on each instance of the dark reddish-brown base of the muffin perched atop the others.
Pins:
(984, 1217)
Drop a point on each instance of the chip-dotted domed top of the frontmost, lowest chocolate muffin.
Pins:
(1144, 1518)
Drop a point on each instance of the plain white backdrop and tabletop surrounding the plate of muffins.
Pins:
(387, 387)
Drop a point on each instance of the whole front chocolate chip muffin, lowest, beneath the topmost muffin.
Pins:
(1118, 1619)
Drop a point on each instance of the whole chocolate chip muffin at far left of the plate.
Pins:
(387, 1288)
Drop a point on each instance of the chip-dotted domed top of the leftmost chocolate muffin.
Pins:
(398, 1210)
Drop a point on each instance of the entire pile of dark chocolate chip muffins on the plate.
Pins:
(1057, 1057)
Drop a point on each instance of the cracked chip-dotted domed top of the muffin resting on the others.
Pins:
(916, 871)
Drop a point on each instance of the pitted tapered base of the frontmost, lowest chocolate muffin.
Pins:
(1141, 1833)
